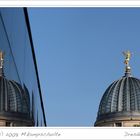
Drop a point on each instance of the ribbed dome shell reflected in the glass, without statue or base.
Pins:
(12, 97)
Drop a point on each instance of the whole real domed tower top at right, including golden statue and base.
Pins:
(120, 104)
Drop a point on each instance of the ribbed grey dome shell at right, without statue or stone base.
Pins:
(122, 98)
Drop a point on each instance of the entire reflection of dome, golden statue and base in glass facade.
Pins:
(14, 101)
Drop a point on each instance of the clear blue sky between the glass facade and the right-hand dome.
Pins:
(79, 54)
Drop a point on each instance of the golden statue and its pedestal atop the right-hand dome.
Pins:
(127, 55)
